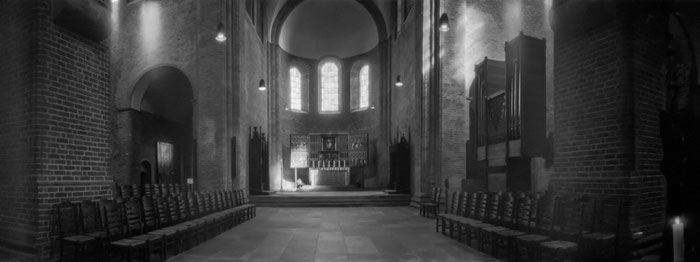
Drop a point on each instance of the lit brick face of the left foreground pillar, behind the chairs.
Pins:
(71, 123)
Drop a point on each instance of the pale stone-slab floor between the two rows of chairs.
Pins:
(334, 234)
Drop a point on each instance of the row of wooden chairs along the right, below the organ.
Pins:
(537, 225)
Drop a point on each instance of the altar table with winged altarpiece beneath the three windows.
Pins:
(328, 157)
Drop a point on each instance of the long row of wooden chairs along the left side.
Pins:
(141, 226)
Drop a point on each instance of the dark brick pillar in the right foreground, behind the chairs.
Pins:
(609, 90)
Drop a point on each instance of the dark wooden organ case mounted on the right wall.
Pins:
(508, 106)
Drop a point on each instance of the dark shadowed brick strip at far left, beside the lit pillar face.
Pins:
(18, 186)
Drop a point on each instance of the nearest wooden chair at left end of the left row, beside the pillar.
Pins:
(69, 230)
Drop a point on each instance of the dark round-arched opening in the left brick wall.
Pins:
(161, 126)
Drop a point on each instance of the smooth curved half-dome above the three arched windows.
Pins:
(317, 28)
